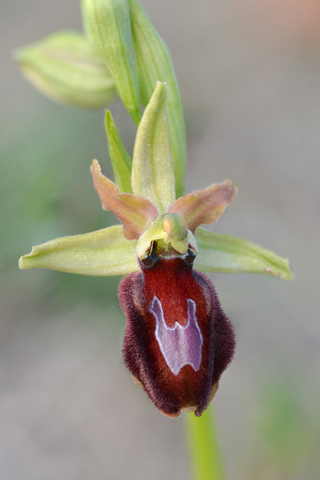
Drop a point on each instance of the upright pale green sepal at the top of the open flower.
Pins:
(152, 173)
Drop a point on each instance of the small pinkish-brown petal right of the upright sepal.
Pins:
(204, 206)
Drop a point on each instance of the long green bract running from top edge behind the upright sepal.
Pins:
(154, 63)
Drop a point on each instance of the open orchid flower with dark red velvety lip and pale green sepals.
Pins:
(178, 340)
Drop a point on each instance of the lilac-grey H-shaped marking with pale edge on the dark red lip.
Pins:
(180, 345)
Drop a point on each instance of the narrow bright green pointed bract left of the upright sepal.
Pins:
(120, 159)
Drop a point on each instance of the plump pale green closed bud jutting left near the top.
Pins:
(66, 68)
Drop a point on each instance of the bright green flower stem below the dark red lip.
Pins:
(204, 449)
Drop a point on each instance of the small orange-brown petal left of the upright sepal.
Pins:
(134, 212)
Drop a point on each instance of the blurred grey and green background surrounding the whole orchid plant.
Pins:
(249, 72)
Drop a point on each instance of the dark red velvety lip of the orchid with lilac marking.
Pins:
(178, 341)
